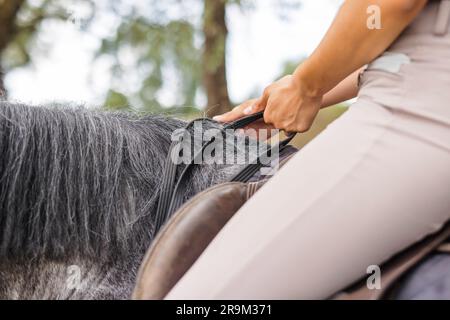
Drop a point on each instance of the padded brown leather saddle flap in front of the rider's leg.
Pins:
(185, 237)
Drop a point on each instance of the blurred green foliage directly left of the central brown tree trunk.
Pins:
(160, 45)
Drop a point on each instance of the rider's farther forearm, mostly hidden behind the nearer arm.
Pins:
(347, 89)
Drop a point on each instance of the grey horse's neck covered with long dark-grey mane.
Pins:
(78, 190)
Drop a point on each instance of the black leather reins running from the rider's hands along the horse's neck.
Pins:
(171, 197)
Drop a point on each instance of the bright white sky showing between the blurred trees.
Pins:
(260, 42)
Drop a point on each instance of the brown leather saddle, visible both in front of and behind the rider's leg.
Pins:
(187, 233)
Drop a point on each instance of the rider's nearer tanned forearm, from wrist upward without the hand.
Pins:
(350, 44)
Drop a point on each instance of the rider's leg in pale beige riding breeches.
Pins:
(373, 183)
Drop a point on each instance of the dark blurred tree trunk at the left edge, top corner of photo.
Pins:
(8, 13)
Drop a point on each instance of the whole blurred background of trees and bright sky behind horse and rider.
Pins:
(180, 57)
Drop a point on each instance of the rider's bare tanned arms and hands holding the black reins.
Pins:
(292, 103)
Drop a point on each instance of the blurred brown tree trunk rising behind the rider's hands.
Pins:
(214, 57)
